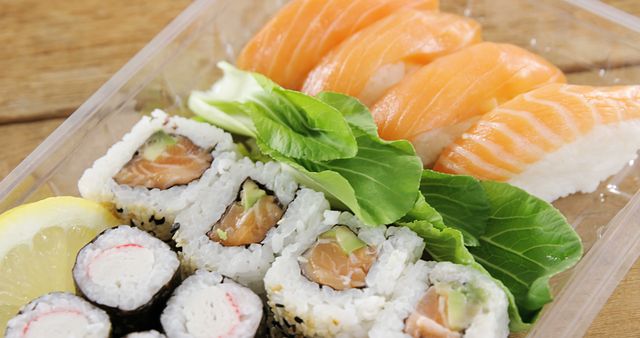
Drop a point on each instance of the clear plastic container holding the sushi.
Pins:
(592, 42)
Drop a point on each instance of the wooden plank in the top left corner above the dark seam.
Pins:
(56, 53)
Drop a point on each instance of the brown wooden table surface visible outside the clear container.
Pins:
(56, 53)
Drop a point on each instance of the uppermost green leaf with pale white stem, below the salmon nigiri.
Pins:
(294, 124)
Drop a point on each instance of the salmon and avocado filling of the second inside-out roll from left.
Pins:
(248, 220)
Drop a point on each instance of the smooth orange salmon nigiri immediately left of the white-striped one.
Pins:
(434, 105)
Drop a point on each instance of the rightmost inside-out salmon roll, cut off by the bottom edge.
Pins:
(444, 300)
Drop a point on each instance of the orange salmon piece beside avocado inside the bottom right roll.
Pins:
(429, 319)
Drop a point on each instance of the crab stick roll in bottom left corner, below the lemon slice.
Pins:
(59, 315)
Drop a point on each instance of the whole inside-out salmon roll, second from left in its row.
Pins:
(240, 224)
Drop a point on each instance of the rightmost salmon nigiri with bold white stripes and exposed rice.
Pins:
(552, 141)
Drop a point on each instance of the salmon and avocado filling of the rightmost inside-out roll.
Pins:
(441, 313)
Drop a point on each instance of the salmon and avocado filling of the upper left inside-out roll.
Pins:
(164, 161)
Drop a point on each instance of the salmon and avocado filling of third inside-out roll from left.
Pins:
(339, 260)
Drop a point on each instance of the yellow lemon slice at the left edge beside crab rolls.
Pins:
(38, 246)
